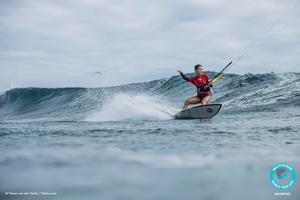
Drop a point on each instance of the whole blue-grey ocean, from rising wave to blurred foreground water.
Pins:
(120, 142)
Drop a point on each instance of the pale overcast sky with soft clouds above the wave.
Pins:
(56, 43)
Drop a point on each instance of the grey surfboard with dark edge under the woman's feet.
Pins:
(199, 112)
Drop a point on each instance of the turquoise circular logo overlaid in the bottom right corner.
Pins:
(282, 176)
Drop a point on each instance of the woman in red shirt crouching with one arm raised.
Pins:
(203, 84)
